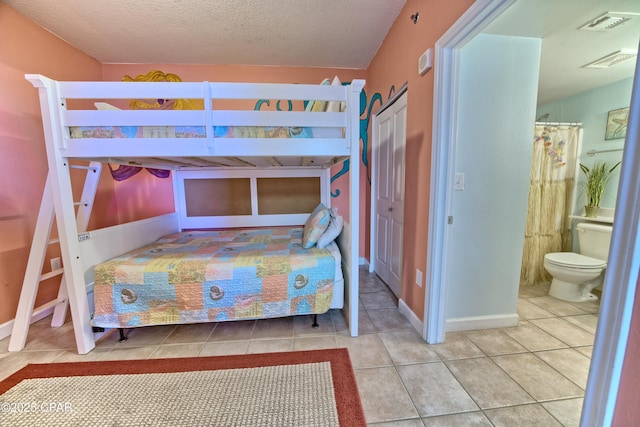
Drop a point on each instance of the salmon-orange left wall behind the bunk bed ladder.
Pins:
(26, 48)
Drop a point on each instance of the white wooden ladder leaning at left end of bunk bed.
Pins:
(41, 241)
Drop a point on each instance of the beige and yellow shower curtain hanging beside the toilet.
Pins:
(551, 187)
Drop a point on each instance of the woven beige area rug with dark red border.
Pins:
(304, 388)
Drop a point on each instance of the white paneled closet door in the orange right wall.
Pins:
(389, 192)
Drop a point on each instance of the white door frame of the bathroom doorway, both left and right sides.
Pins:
(621, 278)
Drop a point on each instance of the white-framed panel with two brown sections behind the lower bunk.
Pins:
(257, 198)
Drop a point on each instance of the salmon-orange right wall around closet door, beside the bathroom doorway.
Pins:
(396, 63)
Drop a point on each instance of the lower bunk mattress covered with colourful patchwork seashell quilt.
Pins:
(215, 276)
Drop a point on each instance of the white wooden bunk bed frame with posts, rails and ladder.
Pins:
(82, 250)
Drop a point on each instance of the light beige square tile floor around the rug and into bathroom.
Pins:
(532, 374)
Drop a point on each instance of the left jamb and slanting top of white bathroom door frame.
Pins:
(444, 137)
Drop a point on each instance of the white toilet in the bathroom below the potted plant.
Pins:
(575, 275)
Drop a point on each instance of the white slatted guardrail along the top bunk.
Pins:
(205, 123)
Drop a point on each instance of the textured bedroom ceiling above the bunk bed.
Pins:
(313, 33)
